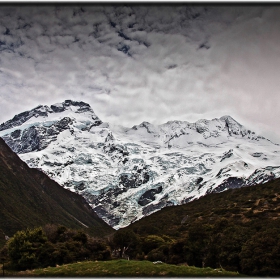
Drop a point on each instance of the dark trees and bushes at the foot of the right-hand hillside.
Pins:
(249, 249)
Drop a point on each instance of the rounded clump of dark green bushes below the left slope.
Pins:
(51, 246)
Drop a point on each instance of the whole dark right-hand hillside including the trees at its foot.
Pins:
(237, 230)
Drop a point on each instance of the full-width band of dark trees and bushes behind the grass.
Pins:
(251, 250)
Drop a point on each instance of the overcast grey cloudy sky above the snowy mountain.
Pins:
(135, 63)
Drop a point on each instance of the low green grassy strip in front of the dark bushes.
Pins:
(124, 268)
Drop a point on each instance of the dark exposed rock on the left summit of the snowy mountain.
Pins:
(39, 135)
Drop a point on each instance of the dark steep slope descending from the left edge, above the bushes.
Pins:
(29, 198)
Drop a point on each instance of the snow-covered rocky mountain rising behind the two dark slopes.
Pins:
(128, 173)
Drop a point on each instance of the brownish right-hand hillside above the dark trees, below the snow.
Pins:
(253, 204)
